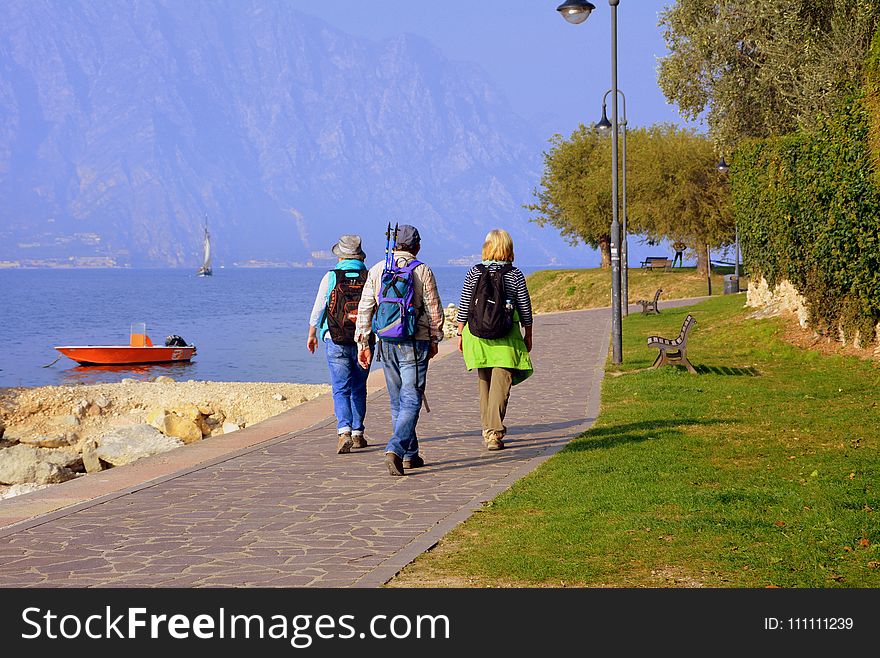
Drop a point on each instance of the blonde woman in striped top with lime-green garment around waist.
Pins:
(495, 331)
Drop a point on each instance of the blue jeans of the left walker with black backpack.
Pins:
(349, 382)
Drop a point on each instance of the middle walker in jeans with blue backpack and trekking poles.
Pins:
(405, 354)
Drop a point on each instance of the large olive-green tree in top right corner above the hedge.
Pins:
(755, 68)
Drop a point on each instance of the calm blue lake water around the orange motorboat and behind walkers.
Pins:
(247, 324)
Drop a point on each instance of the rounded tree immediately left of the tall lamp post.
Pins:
(575, 194)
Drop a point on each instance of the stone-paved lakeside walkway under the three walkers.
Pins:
(284, 510)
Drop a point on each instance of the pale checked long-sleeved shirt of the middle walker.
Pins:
(429, 325)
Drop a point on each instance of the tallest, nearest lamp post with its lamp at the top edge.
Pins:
(577, 11)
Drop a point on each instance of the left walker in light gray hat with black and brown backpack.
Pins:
(333, 319)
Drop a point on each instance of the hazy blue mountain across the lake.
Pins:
(124, 123)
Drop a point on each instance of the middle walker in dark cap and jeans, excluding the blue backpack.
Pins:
(404, 362)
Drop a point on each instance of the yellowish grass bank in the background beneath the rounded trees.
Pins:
(565, 290)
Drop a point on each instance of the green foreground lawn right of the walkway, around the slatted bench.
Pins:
(763, 470)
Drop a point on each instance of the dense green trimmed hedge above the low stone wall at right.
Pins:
(808, 210)
